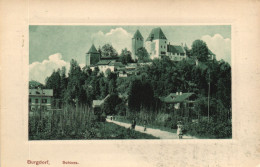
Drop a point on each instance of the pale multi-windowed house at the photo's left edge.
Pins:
(40, 98)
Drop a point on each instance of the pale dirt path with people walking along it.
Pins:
(155, 132)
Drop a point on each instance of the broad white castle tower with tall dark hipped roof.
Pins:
(156, 43)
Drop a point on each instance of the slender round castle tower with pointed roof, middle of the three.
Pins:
(137, 42)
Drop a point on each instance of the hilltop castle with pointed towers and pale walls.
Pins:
(156, 45)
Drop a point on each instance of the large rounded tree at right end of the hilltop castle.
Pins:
(199, 49)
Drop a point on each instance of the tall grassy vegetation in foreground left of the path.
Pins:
(73, 124)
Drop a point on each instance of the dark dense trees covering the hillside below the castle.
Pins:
(138, 96)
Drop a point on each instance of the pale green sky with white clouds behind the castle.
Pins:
(51, 47)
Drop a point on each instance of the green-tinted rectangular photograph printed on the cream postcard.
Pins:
(101, 82)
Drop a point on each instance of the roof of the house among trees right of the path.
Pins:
(174, 98)
